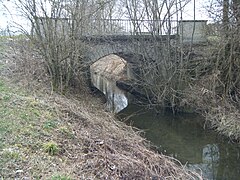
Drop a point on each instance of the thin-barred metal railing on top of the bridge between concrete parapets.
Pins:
(130, 27)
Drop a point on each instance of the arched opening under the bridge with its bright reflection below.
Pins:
(104, 74)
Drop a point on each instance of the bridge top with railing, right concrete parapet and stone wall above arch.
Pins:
(139, 40)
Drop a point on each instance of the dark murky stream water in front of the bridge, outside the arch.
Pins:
(183, 137)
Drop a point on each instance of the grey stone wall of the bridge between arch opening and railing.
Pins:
(126, 45)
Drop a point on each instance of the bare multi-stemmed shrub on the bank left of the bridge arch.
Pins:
(57, 26)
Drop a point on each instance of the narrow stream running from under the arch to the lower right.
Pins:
(181, 136)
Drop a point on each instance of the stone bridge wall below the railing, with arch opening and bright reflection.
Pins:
(118, 58)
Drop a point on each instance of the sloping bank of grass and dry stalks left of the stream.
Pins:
(44, 135)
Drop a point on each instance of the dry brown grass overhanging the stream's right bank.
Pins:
(221, 113)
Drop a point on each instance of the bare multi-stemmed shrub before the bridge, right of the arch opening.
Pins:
(163, 75)
